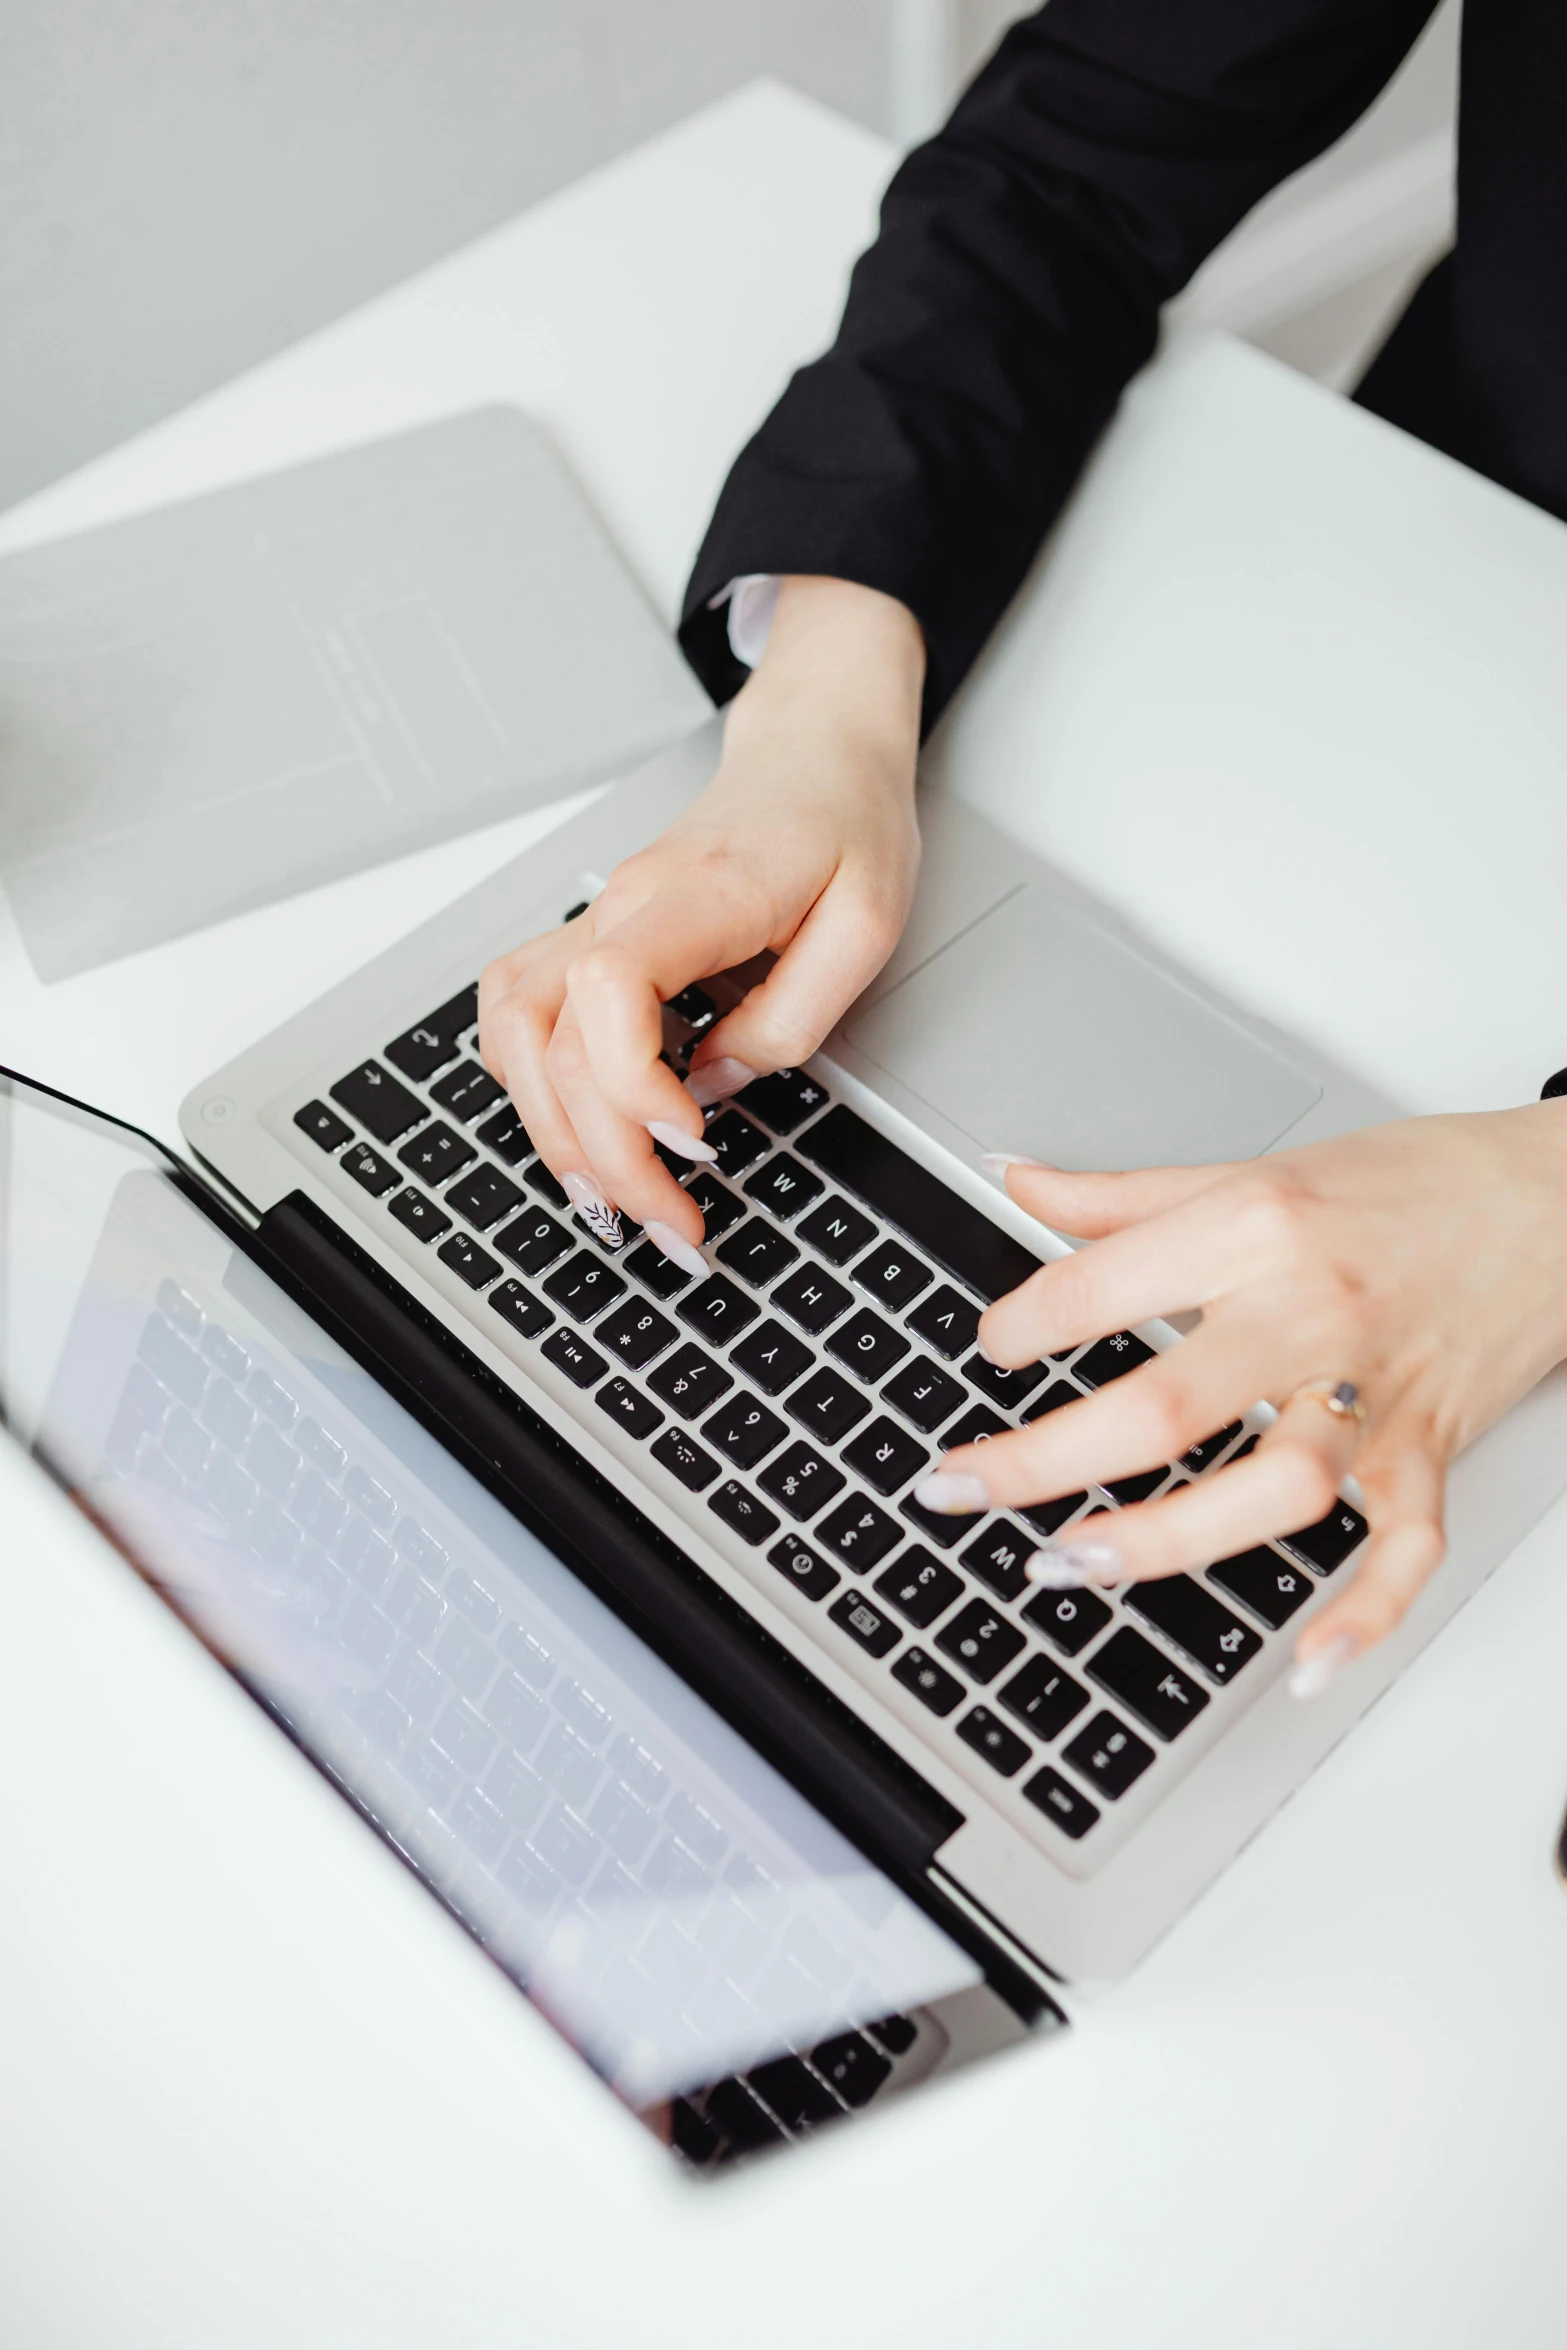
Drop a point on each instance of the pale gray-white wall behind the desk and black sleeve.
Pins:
(191, 184)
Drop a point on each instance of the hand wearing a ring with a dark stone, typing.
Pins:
(1425, 1263)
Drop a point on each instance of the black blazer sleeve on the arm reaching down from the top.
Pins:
(1016, 288)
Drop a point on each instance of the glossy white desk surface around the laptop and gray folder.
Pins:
(255, 2088)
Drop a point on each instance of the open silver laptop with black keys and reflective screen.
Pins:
(577, 1547)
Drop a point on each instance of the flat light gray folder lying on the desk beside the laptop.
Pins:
(276, 685)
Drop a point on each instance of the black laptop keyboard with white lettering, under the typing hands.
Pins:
(805, 1388)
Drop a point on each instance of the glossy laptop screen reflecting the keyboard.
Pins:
(715, 1949)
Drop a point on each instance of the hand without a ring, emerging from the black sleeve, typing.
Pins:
(805, 842)
